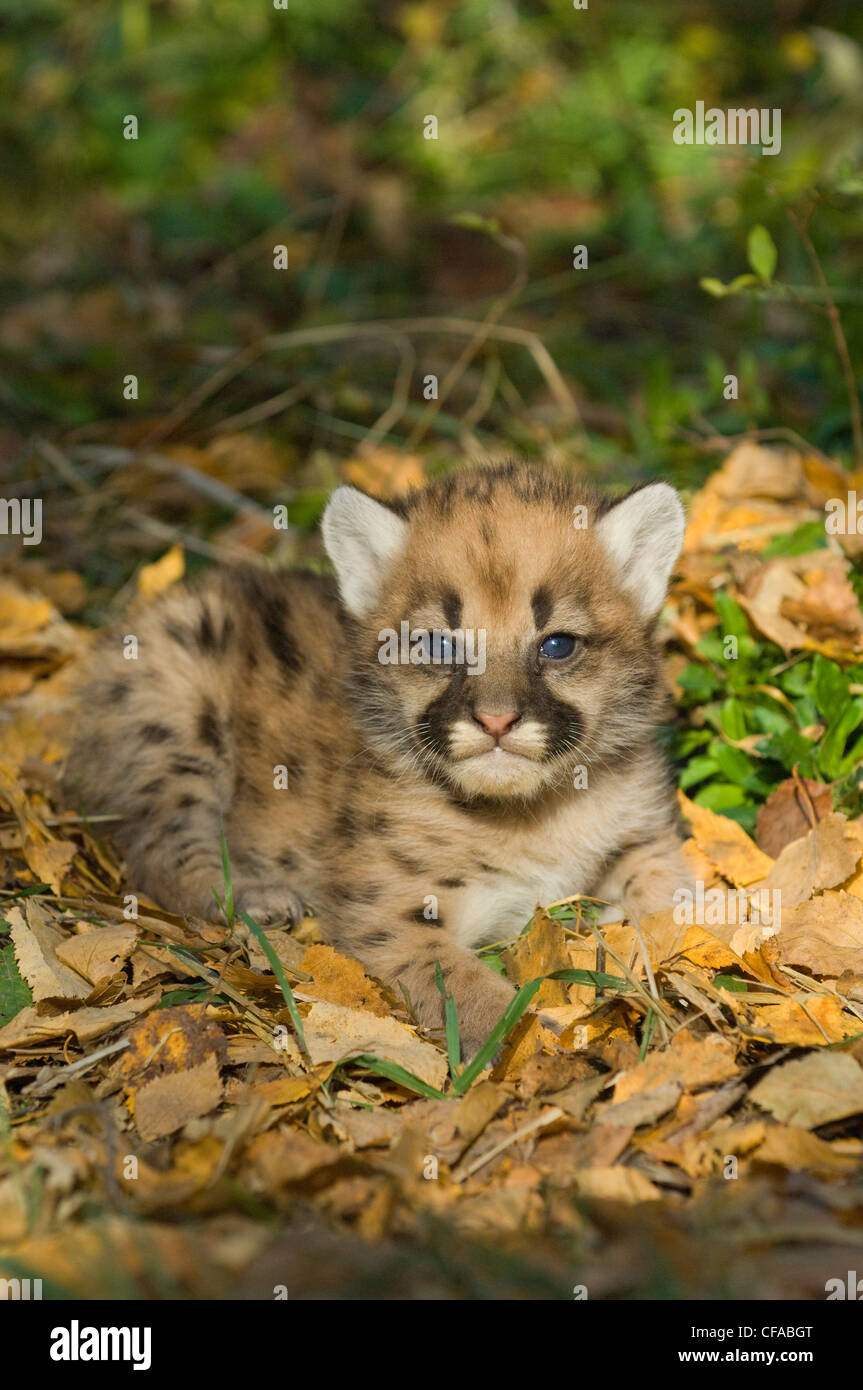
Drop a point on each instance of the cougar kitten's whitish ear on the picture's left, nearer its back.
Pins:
(363, 539)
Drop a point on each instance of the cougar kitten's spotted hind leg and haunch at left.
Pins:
(156, 749)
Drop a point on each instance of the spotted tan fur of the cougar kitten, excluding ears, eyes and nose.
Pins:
(383, 821)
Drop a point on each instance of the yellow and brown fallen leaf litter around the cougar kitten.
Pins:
(266, 1113)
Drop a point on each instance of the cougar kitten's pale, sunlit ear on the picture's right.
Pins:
(644, 534)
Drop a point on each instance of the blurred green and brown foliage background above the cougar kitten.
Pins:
(305, 127)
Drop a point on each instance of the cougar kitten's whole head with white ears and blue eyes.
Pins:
(504, 625)
